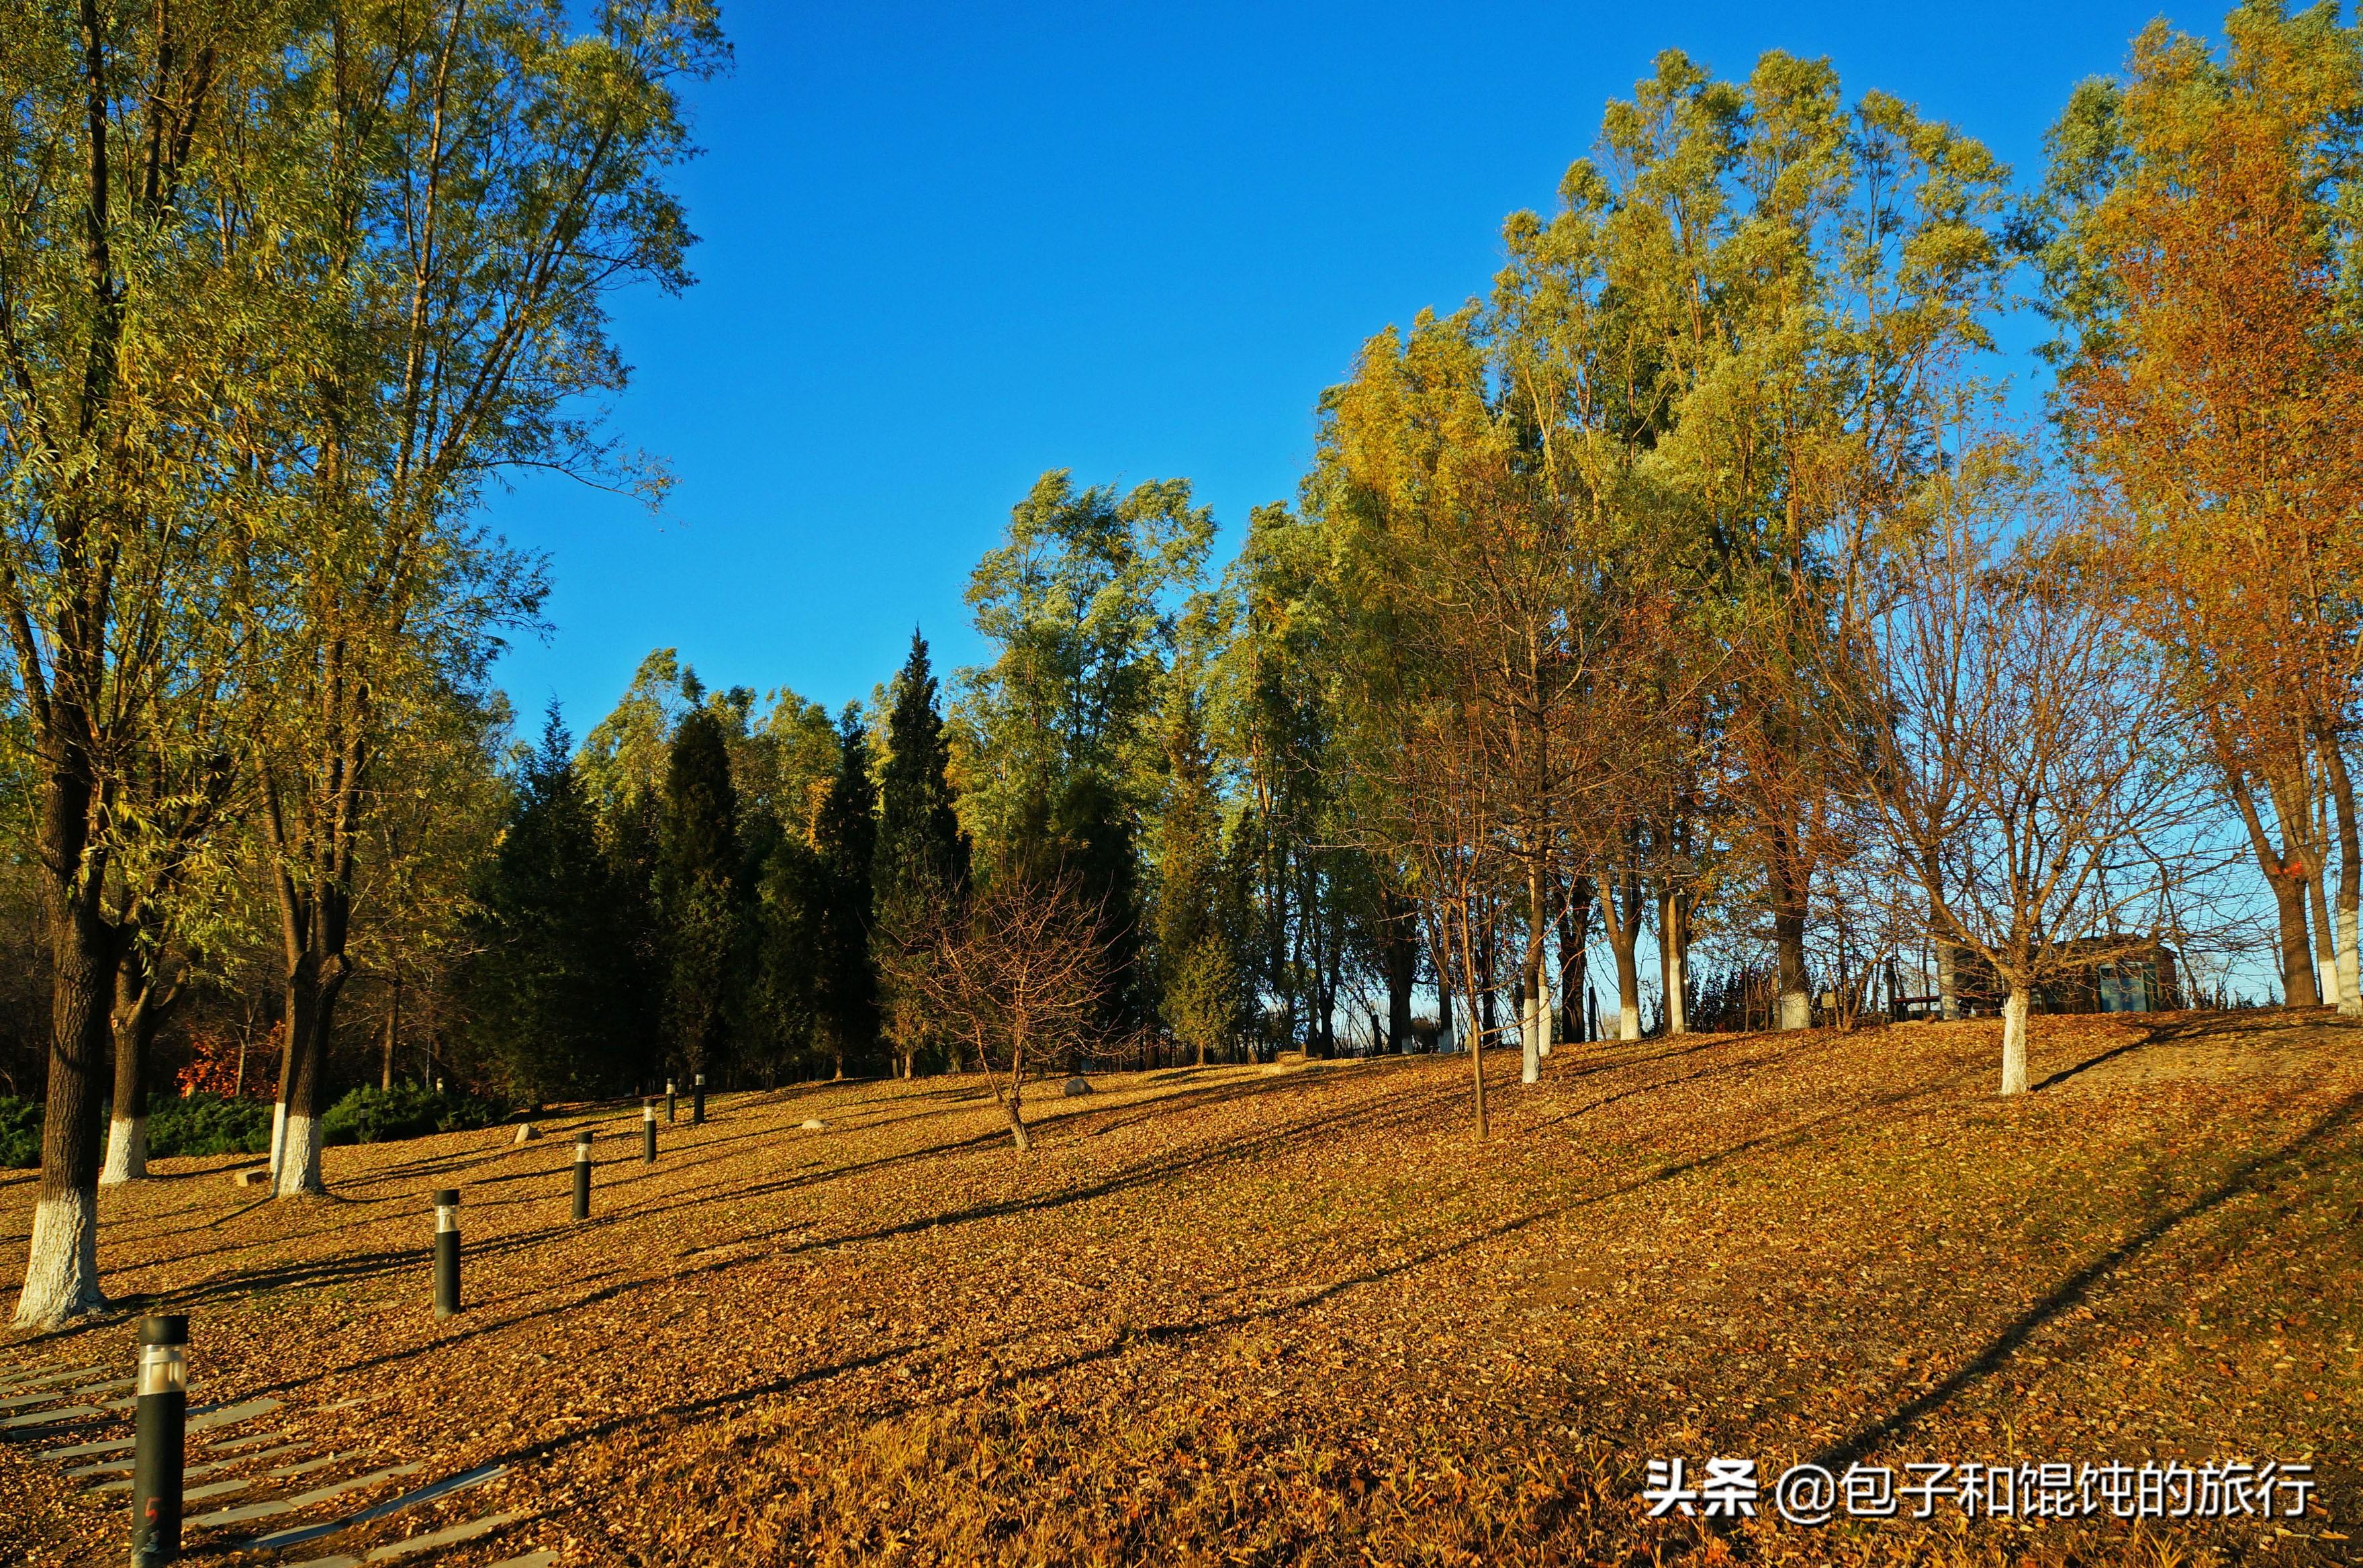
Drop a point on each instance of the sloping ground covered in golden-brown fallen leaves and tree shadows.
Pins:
(1303, 1317)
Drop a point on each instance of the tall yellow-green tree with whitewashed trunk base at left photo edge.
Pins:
(131, 403)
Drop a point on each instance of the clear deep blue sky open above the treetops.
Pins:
(951, 247)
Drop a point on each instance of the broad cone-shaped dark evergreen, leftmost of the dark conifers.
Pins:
(552, 984)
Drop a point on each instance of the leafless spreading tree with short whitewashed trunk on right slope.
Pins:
(2022, 754)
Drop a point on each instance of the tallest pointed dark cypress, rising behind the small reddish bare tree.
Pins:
(923, 858)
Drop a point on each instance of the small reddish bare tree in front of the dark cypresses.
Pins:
(1017, 981)
